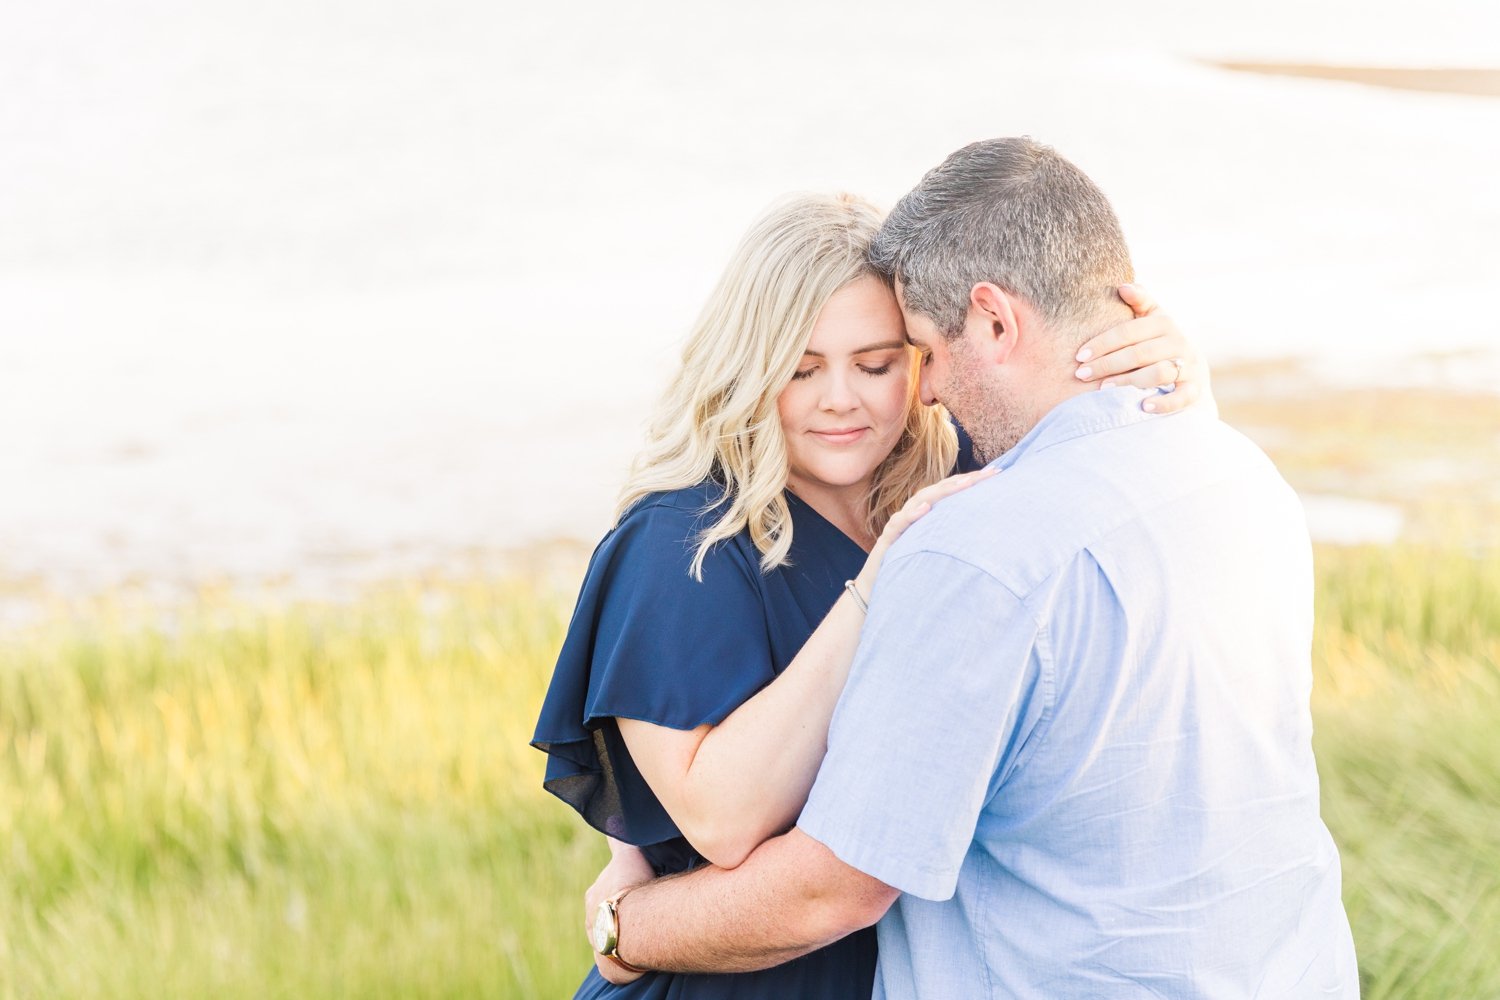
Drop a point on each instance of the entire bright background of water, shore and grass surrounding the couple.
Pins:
(328, 331)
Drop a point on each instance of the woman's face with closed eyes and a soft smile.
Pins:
(847, 406)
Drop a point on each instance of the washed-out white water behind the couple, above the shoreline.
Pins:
(335, 290)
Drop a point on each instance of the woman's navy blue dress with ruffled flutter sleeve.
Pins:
(653, 644)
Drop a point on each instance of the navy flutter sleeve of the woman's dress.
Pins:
(649, 642)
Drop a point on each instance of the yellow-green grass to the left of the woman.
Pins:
(299, 803)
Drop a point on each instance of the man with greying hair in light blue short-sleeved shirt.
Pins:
(1075, 753)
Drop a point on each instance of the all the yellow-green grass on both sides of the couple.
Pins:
(338, 801)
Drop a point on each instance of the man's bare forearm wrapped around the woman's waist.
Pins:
(791, 897)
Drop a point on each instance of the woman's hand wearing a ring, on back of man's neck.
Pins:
(1148, 353)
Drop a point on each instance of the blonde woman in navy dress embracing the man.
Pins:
(691, 704)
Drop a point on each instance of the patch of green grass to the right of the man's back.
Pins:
(1408, 714)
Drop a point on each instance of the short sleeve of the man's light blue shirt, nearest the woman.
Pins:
(947, 690)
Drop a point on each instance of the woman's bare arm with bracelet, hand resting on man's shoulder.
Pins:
(733, 786)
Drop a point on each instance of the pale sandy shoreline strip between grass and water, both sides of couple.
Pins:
(1409, 458)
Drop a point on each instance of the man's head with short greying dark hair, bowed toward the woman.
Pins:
(1006, 260)
